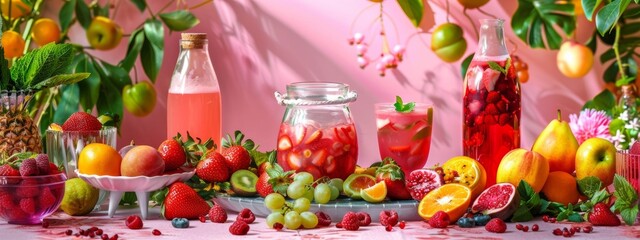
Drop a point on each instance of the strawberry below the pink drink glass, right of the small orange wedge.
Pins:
(393, 177)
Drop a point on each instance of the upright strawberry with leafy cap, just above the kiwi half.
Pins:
(236, 152)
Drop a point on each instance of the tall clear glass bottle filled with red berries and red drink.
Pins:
(491, 101)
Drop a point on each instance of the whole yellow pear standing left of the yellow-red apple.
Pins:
(558, 145)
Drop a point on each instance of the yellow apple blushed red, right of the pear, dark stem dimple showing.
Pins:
(596, 157)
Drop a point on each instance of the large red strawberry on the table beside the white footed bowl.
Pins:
(183, 202)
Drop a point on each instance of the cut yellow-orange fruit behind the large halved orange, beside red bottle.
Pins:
(466, 171)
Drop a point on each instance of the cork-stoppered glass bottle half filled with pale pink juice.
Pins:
(193, 102)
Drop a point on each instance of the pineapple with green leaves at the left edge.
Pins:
(39, 69)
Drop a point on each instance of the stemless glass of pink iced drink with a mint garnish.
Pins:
(405, 136)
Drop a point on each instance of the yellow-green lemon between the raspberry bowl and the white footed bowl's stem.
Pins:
(79, 197)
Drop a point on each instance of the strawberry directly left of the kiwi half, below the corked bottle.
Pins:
(213, 168)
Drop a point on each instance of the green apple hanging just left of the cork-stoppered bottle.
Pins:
(139, 99)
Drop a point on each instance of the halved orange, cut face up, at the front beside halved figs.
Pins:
(453, 198)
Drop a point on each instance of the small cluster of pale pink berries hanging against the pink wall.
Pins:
(387, 60)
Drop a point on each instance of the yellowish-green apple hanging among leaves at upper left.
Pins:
(103, 33)
